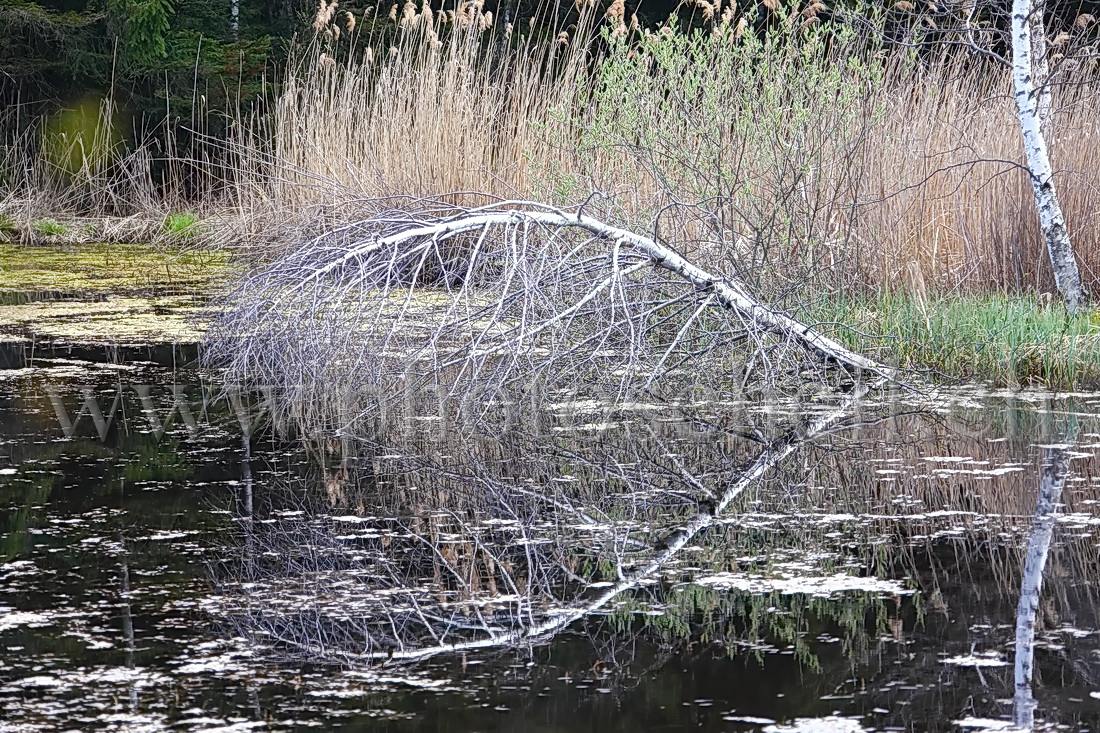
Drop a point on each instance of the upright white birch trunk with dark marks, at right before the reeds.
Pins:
(1032, 106)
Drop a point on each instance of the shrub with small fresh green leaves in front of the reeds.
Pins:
(751, 147)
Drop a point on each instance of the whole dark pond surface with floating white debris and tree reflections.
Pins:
(170, 563)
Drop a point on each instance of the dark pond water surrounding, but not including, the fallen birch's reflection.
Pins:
(125, 488)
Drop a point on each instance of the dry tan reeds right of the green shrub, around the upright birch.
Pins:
(955, 207)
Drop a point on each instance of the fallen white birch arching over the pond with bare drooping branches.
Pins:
(502, 298)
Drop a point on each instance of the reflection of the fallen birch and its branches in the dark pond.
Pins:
(497, 544)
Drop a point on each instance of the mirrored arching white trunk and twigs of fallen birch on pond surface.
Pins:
(496, 584)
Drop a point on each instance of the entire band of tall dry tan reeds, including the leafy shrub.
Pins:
(801, 155)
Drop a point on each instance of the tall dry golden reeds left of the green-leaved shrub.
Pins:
(420, 104)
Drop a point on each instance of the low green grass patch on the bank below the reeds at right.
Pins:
(1010, 342)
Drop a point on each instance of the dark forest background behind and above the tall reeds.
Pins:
(186, 60)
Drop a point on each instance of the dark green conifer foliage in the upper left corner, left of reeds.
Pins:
(157, 61)
